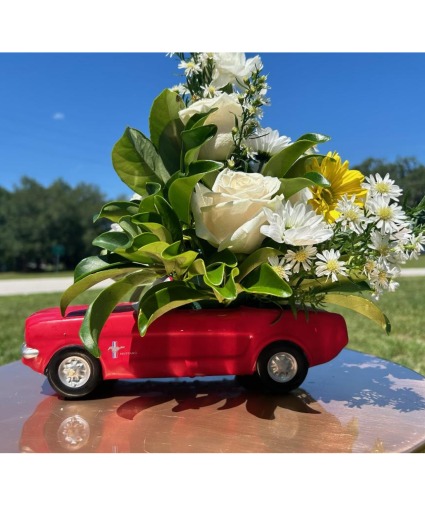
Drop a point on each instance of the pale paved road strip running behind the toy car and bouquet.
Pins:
(47, 285)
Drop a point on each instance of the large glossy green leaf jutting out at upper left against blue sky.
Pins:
(137, 162)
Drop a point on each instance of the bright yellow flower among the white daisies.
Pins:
(342, 182)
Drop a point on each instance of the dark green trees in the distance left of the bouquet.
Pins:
(36, 222)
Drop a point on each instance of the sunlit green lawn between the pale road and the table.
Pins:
(405, 345)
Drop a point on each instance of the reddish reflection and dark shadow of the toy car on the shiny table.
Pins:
(195, 416)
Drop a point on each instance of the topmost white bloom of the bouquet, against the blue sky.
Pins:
(232, 67)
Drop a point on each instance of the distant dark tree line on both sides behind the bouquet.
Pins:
(52, 227)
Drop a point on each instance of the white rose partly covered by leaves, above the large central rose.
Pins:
(228, 107)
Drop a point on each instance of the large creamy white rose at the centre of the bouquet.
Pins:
(230, 216)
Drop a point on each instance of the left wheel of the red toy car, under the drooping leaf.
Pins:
(74, 373)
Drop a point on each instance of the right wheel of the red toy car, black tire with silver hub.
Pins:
(282, 367)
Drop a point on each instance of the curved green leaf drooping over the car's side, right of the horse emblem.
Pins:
(163, 298)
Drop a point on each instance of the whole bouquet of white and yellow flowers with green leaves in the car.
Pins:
(227, 211)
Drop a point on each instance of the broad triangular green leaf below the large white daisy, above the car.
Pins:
(264, 280)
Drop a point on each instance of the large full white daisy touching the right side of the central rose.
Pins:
(296, 225)
